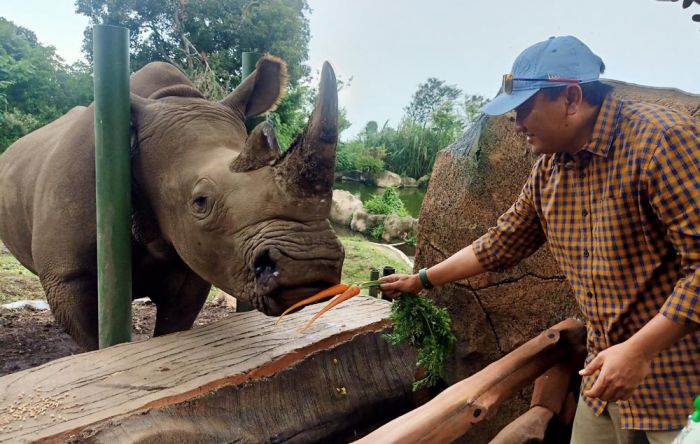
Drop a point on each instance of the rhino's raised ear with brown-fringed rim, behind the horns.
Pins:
(262, 90)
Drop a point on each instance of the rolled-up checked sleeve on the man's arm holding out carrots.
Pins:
(517, 234)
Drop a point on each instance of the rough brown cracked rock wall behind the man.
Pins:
(473, 182)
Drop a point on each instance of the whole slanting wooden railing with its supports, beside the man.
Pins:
(552, 358)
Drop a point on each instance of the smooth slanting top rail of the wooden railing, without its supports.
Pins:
(450, 414)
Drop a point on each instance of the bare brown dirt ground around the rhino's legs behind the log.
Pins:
(29, 338)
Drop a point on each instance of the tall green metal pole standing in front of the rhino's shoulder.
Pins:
(113, 179)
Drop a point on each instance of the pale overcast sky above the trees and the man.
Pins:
(387, 48)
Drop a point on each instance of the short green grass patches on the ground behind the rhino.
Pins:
(17, 283)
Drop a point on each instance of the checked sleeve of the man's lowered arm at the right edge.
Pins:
(673, 182)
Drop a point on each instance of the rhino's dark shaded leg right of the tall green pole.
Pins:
(178, 301)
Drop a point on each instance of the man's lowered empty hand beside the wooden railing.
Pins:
(622, 368)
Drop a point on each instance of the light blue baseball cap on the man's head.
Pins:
(554, 62)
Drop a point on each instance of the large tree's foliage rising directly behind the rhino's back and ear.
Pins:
(206, 39)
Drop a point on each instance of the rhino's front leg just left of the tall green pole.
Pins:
(73, 303)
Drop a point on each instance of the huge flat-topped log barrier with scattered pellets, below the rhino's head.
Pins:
(241, 379)
